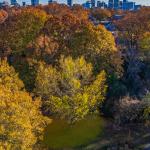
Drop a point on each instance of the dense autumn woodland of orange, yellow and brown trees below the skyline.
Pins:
(55, 63)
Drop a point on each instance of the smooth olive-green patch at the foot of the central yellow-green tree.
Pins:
(59, 134)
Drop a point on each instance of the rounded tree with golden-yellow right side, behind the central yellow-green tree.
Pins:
(97, 45)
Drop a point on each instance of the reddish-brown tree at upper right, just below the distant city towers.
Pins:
(132, 27)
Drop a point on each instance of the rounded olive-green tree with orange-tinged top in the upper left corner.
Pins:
(21, 28)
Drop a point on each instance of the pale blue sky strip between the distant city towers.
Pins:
(143, 2)
